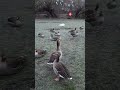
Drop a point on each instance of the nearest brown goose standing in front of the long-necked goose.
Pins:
(60, 70)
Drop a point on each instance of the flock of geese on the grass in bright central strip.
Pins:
(59, 68)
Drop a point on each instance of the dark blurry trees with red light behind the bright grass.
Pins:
(59, 8)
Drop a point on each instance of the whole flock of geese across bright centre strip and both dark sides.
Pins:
(7, 67)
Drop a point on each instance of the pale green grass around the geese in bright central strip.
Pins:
(73, 56)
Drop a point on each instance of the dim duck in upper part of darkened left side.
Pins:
(15, 21)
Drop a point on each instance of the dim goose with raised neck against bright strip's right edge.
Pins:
(90, 15)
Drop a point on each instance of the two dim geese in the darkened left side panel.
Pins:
(11, 65)
